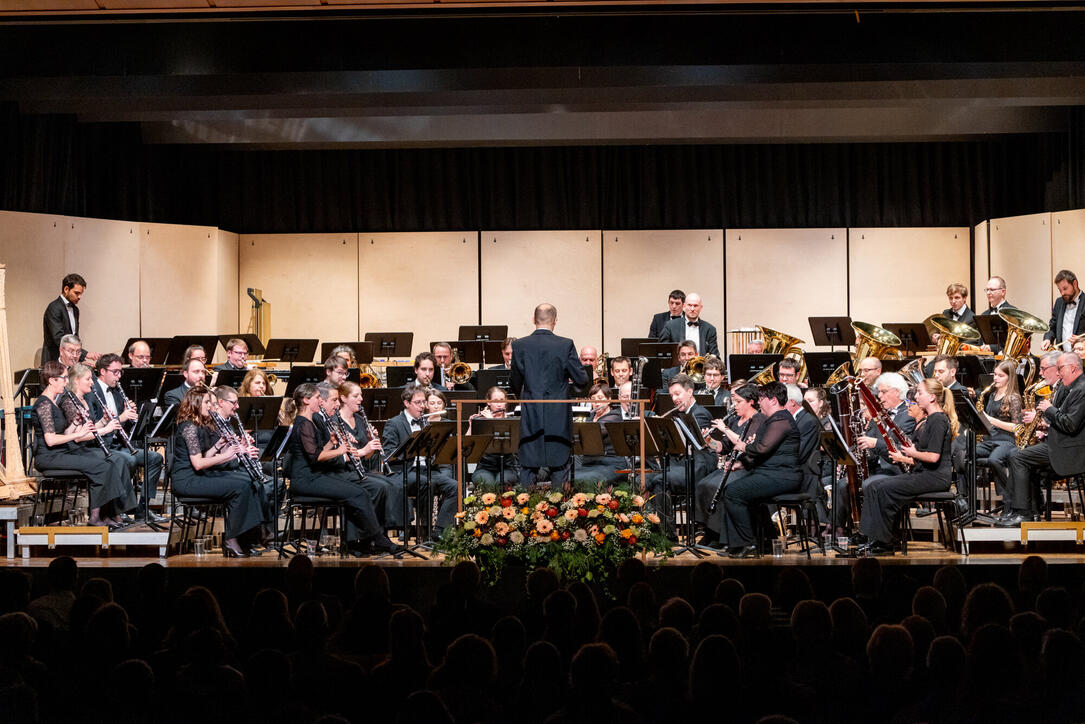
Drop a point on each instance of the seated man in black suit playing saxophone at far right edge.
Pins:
(1063, 453)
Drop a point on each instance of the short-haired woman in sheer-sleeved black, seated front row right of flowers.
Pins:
(774, 469)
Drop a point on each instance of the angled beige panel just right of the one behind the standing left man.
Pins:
(181, 290)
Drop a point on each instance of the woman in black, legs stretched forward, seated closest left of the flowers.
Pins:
(314, 472)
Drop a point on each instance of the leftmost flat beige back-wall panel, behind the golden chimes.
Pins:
(312, 282)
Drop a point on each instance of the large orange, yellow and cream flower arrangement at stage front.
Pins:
(583, 537)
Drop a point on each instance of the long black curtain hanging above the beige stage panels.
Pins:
(54, 164)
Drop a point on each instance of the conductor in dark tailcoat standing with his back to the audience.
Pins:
(543, 366)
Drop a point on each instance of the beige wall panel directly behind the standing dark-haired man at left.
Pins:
(107, 255)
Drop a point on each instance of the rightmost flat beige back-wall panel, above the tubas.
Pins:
(901, 275)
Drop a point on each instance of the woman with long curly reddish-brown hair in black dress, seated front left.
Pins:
(206, 466)
